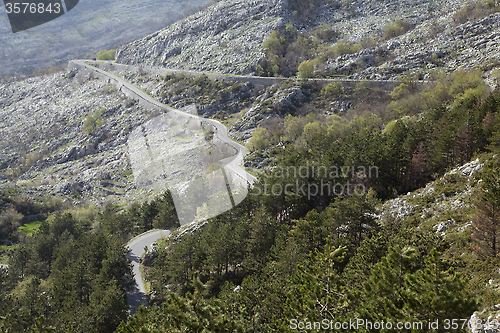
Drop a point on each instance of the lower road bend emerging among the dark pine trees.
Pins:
(137, 295)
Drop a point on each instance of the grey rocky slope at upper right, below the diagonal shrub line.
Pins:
(470, 45)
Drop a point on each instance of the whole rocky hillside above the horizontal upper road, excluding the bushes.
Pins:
(413, 37)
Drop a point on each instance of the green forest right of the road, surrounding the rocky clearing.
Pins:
(326, 257)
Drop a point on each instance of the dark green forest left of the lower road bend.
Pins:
(72, 274)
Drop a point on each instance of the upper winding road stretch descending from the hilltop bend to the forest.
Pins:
(233, 163)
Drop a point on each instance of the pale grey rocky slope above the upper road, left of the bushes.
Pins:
(227, 37)
